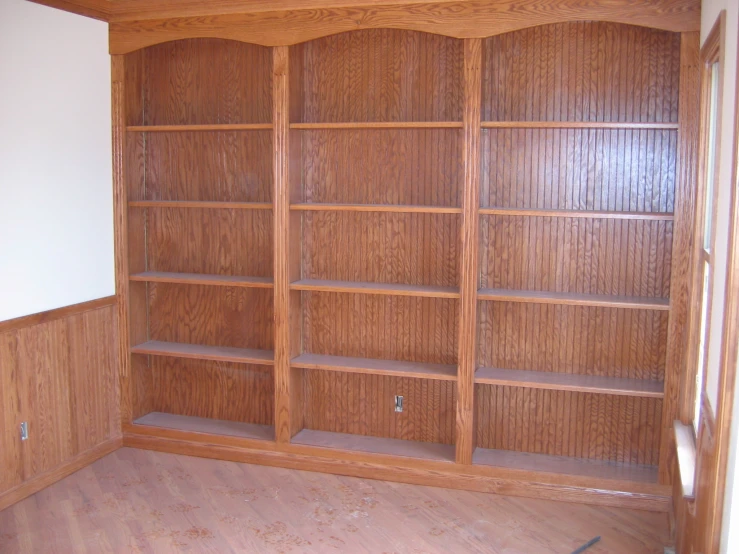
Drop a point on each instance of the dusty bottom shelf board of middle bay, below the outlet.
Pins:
(375, 445)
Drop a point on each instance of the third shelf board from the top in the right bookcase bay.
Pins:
(574, 299)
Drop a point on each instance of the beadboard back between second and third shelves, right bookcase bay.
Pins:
(591, 256)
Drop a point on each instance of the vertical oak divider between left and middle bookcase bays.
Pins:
(281, 200)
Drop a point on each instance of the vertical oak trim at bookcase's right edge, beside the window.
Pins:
(681, 275)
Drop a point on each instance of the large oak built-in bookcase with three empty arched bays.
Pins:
(481, 227)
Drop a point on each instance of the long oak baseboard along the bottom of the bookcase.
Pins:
(435, 475)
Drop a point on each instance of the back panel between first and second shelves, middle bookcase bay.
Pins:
(398, 166)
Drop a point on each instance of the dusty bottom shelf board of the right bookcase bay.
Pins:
(563, 465)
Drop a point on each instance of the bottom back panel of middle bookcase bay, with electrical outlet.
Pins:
(365, 405)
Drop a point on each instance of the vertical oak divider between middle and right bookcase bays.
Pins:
(467, 343)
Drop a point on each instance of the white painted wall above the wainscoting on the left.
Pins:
(56, 201)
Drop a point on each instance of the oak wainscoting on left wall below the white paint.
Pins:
(58, 373)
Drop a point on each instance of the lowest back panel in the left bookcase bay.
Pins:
(215, 390)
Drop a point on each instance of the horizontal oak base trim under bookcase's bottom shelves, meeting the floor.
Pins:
(481, 478)
